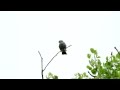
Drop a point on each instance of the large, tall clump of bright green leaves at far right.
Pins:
(108, 70)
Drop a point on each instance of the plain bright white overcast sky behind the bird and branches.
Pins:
(23, 33)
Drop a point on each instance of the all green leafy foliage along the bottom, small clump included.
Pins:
(110, 69)
